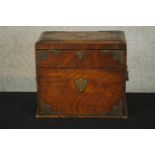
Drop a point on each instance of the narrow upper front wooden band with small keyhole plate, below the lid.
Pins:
(89, 58)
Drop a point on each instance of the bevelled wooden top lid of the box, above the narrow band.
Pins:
(82, 40)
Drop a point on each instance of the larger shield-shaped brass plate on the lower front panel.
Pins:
(81, 84)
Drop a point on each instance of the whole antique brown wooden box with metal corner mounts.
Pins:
(81, 74)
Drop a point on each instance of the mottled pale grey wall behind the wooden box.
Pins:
(17, 61)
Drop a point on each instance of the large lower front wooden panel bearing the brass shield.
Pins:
(85, 91)
